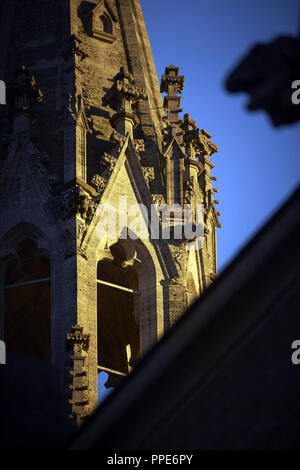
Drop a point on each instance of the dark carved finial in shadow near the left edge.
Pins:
(22, 92)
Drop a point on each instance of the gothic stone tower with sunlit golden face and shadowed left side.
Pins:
(85, 126)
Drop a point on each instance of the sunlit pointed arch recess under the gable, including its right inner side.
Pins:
(128, 264)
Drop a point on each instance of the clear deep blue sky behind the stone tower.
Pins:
(257, 165)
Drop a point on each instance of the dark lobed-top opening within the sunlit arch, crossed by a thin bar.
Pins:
(118, 316)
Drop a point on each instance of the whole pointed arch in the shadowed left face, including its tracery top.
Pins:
(26, 291)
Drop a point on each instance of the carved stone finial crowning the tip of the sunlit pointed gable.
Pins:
(123, 97)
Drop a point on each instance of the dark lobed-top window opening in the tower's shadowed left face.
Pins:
(27, 303)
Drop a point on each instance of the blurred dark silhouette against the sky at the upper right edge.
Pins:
(266, 73)
